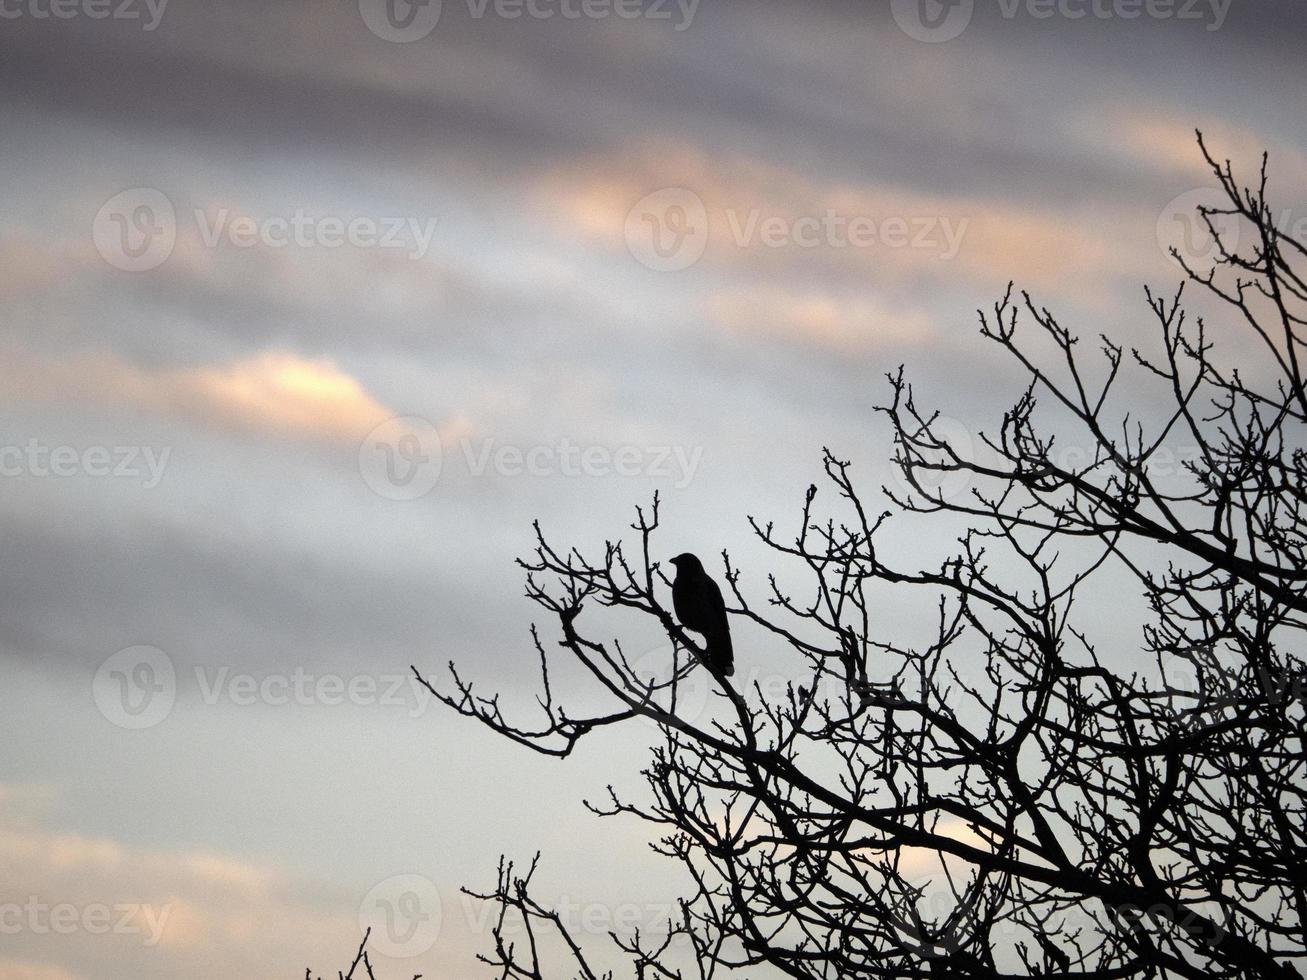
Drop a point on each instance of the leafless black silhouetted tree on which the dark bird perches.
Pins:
(998, 796)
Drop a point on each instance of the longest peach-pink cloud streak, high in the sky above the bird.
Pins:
(918, 238)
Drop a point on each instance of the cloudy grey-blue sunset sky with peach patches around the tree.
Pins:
(309, 310)
